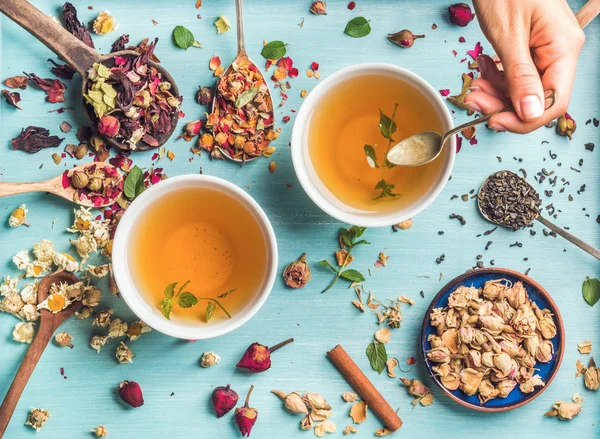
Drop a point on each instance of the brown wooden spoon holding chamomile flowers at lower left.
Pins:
(47, 325)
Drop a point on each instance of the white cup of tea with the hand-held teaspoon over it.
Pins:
(339, 118)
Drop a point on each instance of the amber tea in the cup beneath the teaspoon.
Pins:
(348, 118)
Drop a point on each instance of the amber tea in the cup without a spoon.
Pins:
(205, 236)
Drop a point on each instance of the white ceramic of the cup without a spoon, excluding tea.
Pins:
(149, 312)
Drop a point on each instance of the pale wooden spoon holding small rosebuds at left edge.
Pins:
(55, 186)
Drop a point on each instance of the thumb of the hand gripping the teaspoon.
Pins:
(523, 81)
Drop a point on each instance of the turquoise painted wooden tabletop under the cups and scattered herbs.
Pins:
(176, 389)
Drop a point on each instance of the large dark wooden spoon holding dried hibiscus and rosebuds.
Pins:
(79, 56)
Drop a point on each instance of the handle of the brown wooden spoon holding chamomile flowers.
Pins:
(25, 370)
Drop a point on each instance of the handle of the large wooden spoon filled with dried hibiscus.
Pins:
(45, 29)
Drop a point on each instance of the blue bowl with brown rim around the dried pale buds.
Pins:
(540, 296)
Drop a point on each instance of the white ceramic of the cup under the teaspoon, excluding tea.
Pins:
(309, 178)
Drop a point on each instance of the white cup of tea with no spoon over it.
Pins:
(142, 295)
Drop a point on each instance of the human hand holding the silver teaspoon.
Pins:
(538, 42)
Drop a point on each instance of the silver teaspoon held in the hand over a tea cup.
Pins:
(422, 148)
